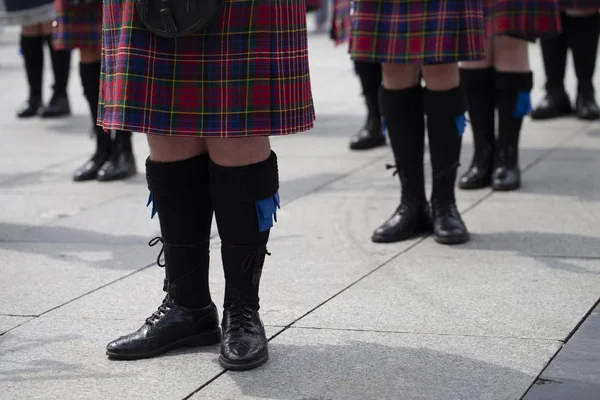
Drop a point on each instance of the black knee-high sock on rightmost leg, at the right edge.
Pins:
(582, 35)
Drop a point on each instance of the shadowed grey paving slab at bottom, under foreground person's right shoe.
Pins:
(324, 364)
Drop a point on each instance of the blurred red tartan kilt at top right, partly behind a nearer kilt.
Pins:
(523, 18)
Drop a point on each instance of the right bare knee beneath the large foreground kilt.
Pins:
(233, 152)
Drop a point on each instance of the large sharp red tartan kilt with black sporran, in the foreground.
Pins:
(245, 75)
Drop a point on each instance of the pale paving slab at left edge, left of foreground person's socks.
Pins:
(43, 276)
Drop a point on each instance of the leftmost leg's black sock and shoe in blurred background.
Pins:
(33, 55)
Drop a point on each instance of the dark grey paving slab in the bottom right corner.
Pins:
(575, 372)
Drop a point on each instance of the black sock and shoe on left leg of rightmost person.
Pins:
(556, 102)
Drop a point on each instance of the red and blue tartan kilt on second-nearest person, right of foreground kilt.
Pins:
(418, 32)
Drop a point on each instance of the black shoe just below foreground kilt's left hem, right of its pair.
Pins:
(121, 162)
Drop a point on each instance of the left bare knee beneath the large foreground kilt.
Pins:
(172, 148)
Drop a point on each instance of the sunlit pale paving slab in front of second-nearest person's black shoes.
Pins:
(469, 293)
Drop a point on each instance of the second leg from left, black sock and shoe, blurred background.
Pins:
(61, 66)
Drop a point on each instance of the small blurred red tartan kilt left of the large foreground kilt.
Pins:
(78, 26)
